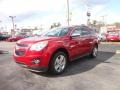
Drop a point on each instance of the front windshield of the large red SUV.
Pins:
(56, 32)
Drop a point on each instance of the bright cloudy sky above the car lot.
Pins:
(30, 13)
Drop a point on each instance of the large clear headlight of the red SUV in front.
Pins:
(39, 46)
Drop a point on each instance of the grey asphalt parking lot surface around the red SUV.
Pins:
(101, 73)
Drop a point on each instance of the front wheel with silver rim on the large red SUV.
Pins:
(58, 63)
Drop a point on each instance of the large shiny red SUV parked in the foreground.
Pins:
(54, 49)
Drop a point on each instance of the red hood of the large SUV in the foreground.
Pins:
(32, 40)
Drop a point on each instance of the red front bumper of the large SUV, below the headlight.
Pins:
(26, 61)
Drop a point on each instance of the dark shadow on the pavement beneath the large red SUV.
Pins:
(83, 65)
